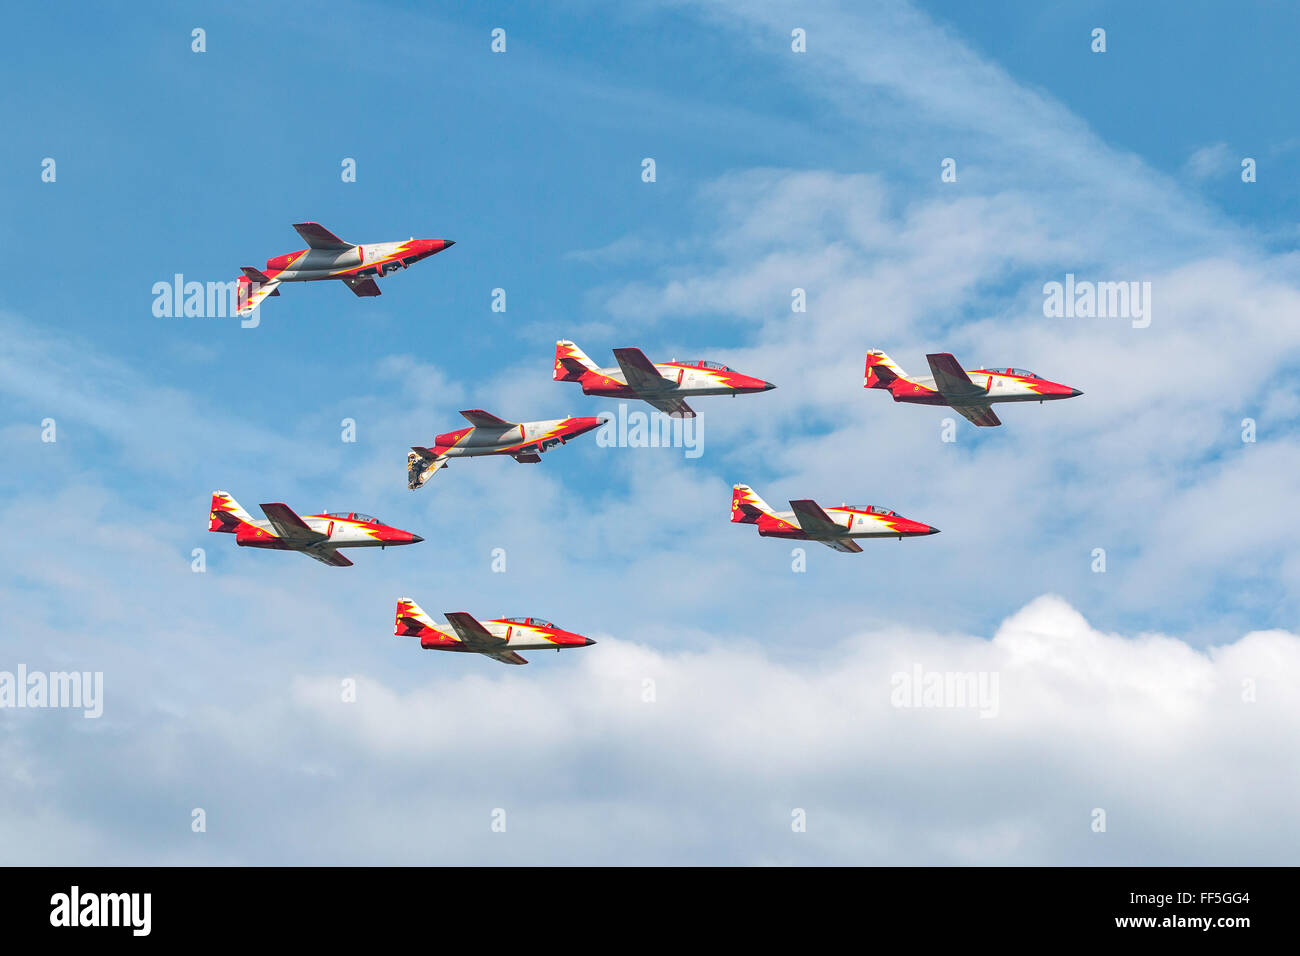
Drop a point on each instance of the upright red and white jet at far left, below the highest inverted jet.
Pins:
(317, 537)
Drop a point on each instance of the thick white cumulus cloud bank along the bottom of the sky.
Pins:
(630, 754)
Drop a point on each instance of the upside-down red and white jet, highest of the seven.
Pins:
(330, 257)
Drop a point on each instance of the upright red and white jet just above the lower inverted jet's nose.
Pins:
(664, 386)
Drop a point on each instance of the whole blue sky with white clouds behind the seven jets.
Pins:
(775, 171)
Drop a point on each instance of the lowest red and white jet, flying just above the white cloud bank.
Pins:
(497, 639)
